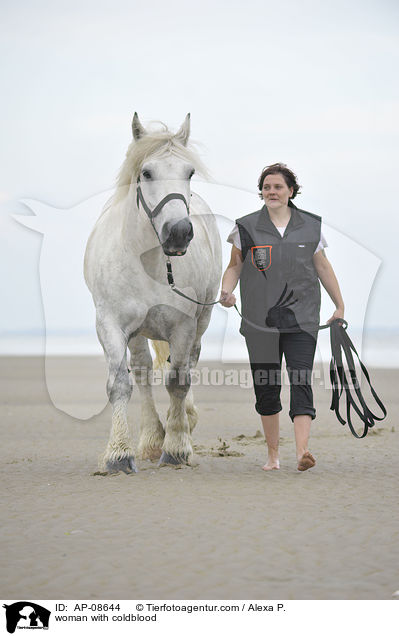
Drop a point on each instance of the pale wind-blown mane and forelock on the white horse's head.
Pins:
(157, 143)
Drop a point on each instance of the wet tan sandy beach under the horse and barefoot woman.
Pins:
(221, 529)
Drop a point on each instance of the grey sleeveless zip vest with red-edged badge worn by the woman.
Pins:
(280, 289)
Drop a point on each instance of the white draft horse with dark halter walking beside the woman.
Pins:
(152, 216)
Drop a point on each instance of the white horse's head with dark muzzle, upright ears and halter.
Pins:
(163, 188)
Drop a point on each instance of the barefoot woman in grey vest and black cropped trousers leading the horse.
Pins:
(278, 255)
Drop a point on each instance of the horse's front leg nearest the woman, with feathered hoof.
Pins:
(176, 448)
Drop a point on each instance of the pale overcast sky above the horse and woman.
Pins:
(312, 84)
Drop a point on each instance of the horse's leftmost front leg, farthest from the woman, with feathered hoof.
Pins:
(118, 454)
